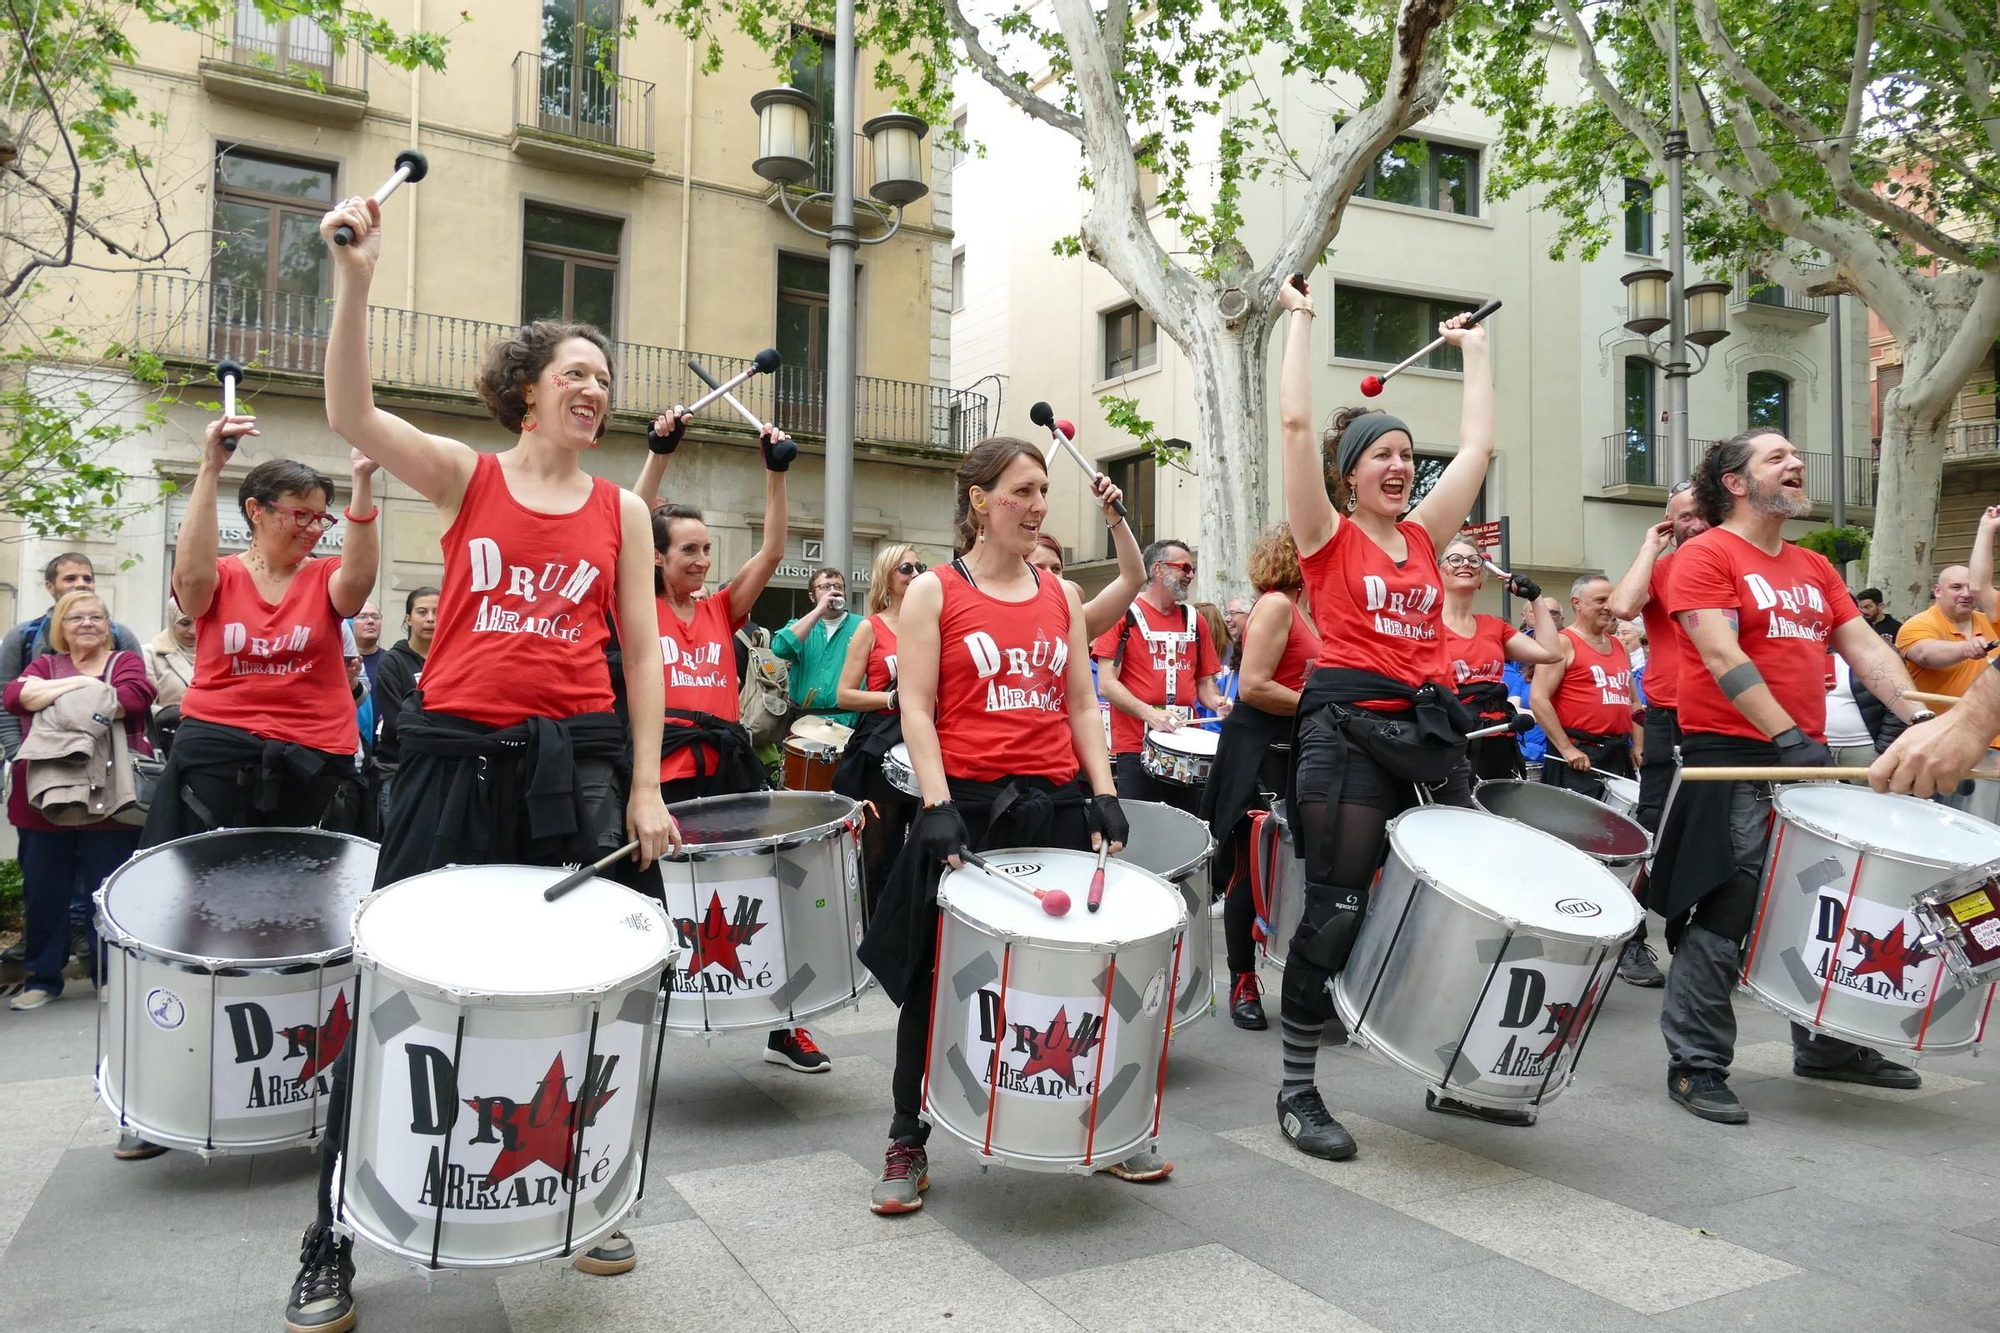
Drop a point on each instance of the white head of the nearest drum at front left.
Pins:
(487, 930)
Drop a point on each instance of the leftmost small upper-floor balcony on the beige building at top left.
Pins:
(287, 65)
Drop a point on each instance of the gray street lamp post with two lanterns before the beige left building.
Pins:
(783, 159)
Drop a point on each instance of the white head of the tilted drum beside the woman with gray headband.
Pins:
(1509, 870)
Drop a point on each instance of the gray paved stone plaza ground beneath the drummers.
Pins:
(1837, 1208)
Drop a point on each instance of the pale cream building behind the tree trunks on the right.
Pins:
(1581, 465)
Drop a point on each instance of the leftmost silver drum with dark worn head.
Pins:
(229, 992)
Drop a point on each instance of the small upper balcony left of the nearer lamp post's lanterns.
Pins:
(569, 113)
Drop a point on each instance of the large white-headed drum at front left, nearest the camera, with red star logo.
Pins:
(503, 1068)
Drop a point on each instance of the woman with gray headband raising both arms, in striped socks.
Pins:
(1373, 720)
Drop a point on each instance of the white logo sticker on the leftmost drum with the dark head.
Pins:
(277, 1052)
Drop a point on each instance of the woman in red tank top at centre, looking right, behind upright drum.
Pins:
(1007, 746)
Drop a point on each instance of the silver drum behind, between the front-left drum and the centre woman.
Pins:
(767, 908)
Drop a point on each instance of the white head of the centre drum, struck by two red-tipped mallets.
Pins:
(1137, 904)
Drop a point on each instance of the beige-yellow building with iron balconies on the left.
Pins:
(553, 191)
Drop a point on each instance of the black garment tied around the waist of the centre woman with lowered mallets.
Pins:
(1017, 814)
